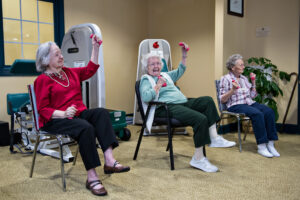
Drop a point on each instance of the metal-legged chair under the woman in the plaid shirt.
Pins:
(226, 115)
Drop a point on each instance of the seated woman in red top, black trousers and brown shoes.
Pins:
(61, 111)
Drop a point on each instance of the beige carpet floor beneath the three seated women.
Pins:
(245, 175)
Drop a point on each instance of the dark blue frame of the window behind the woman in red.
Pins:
(59, 31)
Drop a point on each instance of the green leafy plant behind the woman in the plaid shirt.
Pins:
(267, 76)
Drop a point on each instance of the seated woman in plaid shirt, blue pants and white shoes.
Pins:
(237, 93)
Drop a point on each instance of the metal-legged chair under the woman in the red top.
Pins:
(47, 136)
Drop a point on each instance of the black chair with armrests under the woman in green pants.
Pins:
(158, 121)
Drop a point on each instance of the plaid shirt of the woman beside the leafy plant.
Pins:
(243, 95)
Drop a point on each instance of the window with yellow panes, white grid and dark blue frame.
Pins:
(26, 24)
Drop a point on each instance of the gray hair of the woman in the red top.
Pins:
(43, 56)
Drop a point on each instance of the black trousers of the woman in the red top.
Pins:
(91, 124)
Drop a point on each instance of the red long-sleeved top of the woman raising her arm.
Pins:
(51, 96)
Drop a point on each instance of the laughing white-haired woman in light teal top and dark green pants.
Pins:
(200, 113)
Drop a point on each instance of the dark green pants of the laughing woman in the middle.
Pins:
(200, 113)
